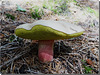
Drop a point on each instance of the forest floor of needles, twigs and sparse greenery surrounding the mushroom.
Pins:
(78, 55)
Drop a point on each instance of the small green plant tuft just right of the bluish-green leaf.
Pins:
(36, 12)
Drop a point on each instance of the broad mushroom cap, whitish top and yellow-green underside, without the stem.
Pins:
(48, 30)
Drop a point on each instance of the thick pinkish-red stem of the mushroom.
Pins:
(45, 52)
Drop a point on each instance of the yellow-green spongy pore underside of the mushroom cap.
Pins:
(40, 32)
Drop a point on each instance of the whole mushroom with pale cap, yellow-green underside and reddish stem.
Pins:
(46, 31)
